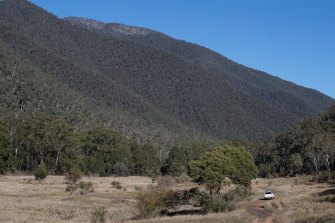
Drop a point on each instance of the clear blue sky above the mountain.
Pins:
(291, 39)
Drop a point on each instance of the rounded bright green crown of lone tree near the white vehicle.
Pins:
(222, 163)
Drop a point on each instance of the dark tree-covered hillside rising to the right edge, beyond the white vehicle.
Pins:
(308, 147)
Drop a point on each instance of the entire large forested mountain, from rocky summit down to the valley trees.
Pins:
(141, 82)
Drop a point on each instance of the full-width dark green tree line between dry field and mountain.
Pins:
(307, 148)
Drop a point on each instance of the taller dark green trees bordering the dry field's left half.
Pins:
(100, 151)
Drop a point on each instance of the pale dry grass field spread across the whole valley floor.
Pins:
(23, 199)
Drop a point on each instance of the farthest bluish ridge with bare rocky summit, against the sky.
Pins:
(268, 88)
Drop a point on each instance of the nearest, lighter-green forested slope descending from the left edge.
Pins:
(26, 92)
